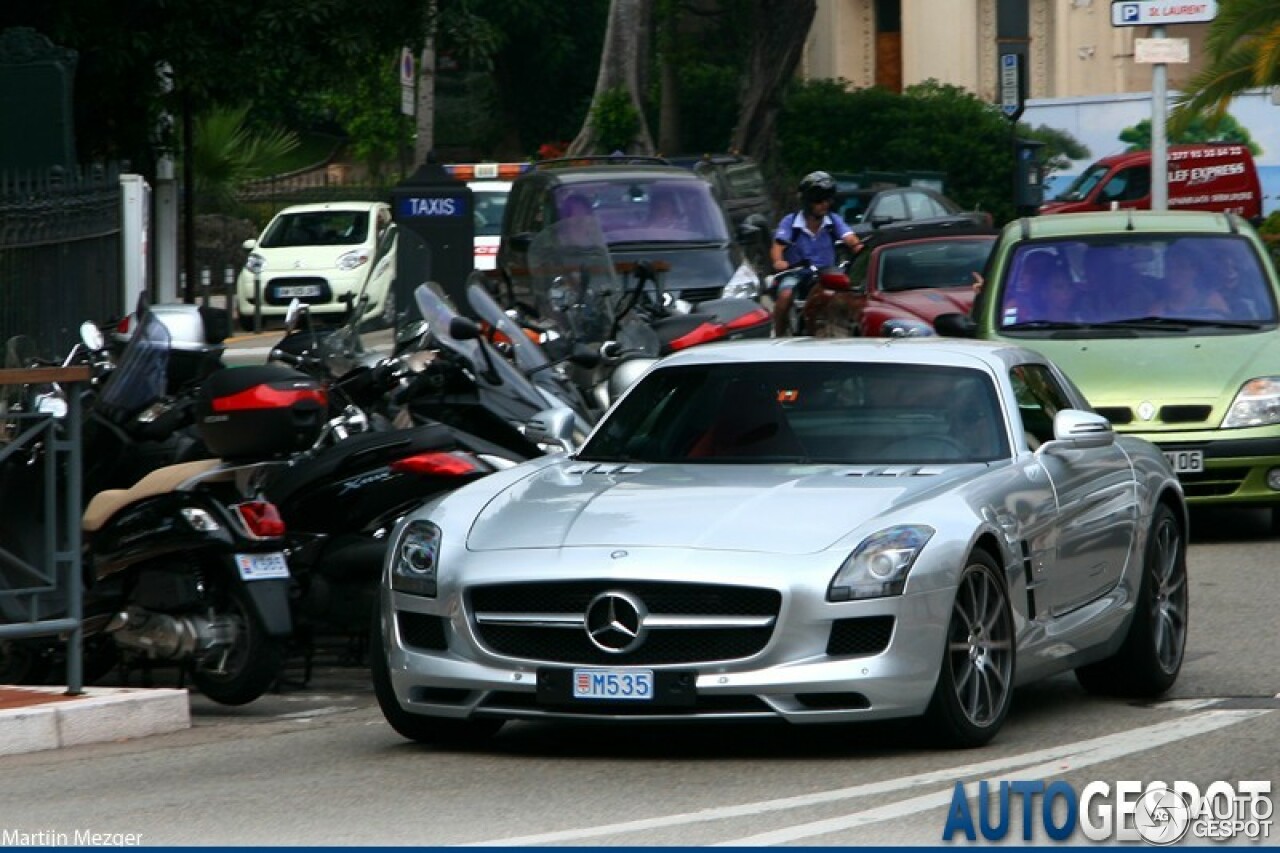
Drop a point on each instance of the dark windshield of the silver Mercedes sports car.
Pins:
(802, 412)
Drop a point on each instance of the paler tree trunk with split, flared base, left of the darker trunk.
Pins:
(624, 65)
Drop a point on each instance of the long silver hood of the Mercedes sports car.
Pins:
(766, 509)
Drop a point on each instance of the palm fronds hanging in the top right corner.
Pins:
(1244, 48)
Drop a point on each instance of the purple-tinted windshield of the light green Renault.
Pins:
(1173, 284)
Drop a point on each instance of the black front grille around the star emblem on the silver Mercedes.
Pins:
(559, 633)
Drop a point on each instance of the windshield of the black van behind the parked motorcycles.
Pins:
(647, 211)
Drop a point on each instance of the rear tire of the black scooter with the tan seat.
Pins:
(252, 667)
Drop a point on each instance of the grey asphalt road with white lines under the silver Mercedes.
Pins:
(317, 765)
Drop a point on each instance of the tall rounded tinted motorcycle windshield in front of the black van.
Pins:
(578, 290)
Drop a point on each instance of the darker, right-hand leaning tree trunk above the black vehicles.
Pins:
(781, 29)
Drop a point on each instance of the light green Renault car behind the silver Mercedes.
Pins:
(1167, 322)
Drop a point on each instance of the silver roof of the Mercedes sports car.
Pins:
(993, 355)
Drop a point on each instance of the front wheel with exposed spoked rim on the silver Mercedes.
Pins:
(976, 679)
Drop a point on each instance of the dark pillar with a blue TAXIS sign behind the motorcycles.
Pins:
(436, 220)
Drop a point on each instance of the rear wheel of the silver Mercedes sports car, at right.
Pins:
(1151, 656)
